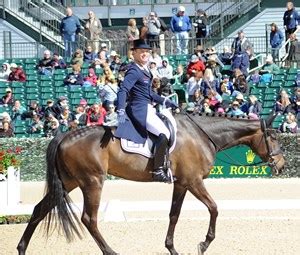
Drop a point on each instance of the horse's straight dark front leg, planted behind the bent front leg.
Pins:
(177, 200)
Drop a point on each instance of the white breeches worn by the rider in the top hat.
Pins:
(154, 124)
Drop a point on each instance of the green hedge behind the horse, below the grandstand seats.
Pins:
(33, 155)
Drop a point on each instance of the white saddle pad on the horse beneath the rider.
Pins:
(147, 149)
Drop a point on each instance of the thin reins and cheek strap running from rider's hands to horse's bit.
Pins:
(261, 163)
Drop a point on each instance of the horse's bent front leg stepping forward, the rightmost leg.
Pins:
(199, 191)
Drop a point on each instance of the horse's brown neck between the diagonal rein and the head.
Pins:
(225, 133)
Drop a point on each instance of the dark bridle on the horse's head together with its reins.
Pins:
(266, 133)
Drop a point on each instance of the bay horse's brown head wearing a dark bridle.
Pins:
(266, 145)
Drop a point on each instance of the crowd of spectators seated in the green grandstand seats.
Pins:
(208, 89)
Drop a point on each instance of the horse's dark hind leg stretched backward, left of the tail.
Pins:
(39, 213)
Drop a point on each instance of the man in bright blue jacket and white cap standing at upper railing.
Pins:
(181, 25)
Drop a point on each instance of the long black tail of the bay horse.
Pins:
(63, 211)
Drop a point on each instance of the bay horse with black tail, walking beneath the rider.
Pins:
(82, 158)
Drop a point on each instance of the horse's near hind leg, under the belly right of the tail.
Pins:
(91, 195)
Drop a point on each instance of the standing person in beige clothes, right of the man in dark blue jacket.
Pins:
(93, 30)
